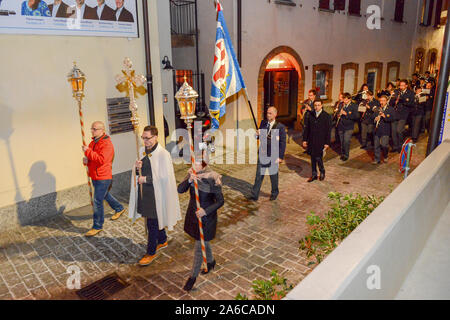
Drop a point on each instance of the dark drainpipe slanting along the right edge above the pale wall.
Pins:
(441, 93)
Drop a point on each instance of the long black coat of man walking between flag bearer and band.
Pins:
(317, 133)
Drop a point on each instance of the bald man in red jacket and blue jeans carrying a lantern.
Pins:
(99, 158)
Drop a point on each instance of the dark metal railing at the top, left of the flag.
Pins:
(182, 17)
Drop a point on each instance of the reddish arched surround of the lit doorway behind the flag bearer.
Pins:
(298, 63)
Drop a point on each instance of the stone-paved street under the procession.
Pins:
(253, 238)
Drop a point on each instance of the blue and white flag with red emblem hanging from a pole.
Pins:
(226, 78)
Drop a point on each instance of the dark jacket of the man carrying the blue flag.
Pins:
(266, 149)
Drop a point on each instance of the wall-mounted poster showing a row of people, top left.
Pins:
(108, 18)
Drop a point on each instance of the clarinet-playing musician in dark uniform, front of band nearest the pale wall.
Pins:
(382, 117)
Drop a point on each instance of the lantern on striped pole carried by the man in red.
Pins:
(77, 79)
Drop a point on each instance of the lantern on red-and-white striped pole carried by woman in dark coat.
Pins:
(187, 101)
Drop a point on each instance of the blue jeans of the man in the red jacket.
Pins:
(101, 193)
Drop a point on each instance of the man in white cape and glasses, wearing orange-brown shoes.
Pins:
(154, 194)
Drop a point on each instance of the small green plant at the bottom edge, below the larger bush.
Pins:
(274, 289)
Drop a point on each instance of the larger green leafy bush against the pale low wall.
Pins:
(345, 214)
